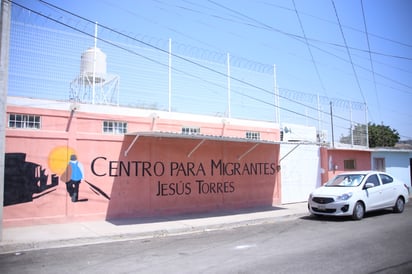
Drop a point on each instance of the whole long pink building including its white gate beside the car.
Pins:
(142, 163)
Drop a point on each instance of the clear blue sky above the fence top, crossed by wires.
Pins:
(354, 50)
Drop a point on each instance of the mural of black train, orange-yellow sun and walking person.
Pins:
(26, 181)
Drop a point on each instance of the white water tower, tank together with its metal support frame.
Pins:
(94, 85)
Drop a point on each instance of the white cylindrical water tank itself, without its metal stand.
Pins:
(87, 65)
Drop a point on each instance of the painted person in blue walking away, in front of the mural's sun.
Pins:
(73, 176)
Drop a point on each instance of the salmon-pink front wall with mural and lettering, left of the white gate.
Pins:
(157, 177)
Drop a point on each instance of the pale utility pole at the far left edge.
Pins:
(4, 67)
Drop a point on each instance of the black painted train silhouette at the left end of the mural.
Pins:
(25, 181)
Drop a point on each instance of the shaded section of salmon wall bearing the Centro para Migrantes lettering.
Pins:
(161, 177)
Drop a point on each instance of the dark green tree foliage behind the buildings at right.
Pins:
(382, 136)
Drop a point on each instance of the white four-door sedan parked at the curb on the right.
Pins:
(354, 193)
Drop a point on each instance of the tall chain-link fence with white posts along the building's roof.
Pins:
(50, 59)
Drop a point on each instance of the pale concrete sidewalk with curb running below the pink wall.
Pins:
(73, 234)
